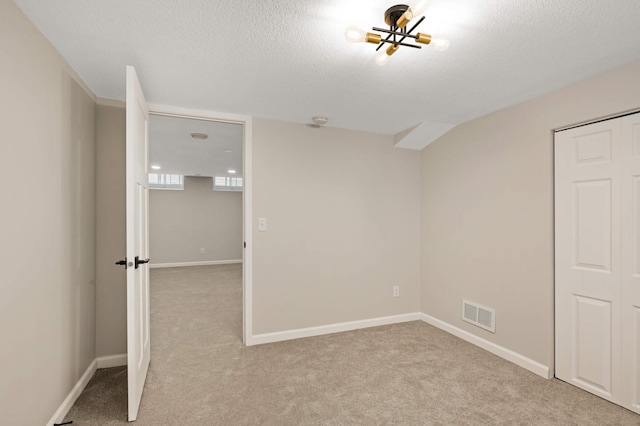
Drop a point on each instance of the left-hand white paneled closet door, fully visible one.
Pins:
(588, 258)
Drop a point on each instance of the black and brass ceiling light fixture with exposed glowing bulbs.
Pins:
(397, 17)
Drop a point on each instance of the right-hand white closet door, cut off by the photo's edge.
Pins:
(630, 127)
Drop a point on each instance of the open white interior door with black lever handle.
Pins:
(138, 339)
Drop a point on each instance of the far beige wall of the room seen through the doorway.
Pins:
(183, 222)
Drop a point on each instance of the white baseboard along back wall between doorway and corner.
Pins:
(258, 339)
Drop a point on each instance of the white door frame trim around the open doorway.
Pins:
(247, 191)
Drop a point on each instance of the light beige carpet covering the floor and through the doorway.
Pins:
(404, 374)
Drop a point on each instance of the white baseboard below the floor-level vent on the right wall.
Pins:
(508, 354)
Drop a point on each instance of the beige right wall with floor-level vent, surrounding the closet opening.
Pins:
(487, 211)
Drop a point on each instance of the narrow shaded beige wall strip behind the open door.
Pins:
(111, 280)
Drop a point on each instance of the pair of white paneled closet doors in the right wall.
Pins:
(597, 217)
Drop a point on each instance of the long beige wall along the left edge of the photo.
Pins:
(47, 225)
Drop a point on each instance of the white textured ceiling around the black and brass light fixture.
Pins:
(289, 60)
